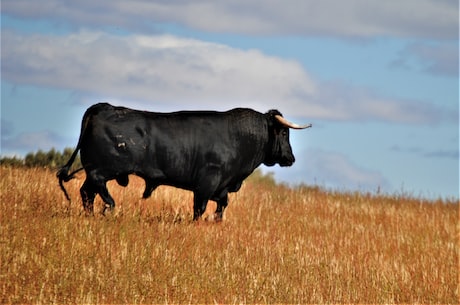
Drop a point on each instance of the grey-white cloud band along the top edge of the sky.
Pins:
(433, 19)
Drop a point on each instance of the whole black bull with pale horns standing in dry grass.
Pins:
(207, 152)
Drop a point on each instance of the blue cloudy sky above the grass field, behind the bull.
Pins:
(378, 79)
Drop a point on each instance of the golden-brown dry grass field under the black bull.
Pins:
(276, 245)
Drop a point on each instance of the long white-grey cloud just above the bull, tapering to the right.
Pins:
(189, 73)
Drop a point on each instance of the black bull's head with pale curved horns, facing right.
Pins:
(279, 150)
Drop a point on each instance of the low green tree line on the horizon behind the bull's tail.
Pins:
(52, 159)
